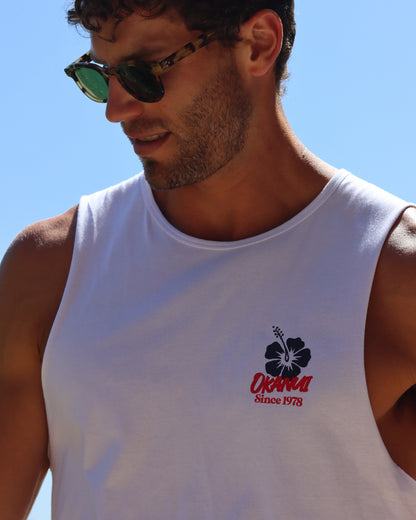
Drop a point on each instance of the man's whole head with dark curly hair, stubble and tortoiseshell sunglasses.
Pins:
(207, 118)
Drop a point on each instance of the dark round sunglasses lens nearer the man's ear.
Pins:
(140, 82)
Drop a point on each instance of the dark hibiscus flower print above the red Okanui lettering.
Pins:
(287, 357)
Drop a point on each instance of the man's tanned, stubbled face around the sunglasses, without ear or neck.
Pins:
(200, 124)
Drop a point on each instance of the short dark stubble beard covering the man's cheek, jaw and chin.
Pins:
(209, 133)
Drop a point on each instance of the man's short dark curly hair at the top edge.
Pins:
(222, 16)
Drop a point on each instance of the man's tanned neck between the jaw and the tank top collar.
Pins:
(268, 183)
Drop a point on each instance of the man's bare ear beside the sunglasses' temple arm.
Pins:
(263, 34)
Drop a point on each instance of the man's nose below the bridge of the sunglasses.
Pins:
(121, 106)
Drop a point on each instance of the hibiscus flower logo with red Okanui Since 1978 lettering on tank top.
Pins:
(285, 361)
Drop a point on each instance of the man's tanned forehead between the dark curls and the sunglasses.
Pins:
(139, 37)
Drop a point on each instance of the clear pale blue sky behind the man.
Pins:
(351, 100)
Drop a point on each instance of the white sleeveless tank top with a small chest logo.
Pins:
(187, 379)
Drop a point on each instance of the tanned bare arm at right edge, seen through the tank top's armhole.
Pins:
(391, 344)
